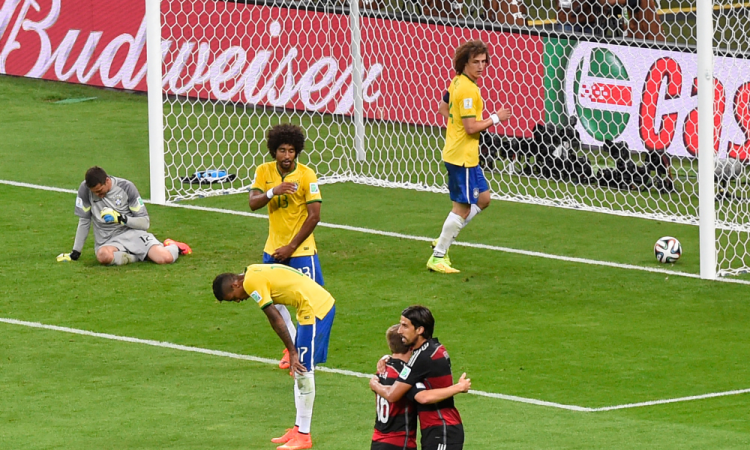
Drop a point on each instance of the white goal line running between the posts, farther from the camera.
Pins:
(591, 262)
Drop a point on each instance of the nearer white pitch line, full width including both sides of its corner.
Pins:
(512, 398)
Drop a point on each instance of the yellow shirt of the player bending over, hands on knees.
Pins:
(269, 284)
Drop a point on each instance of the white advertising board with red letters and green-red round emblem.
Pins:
(648, 98)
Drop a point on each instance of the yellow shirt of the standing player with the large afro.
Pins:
(287, 212)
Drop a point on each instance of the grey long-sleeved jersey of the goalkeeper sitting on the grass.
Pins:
(123, 197)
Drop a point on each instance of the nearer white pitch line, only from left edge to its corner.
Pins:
(257, 359)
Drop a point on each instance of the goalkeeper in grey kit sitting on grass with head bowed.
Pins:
(120, 222)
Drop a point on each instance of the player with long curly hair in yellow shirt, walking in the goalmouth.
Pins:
(466, 182)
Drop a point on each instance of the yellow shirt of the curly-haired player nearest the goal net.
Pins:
(462, 149)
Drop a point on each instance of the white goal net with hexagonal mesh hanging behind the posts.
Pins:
(603, 96)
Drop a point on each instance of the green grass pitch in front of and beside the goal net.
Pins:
(551, 330)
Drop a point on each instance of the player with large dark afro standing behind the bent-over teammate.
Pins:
(291, 191)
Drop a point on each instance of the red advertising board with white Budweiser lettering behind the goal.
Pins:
(270, 56)
